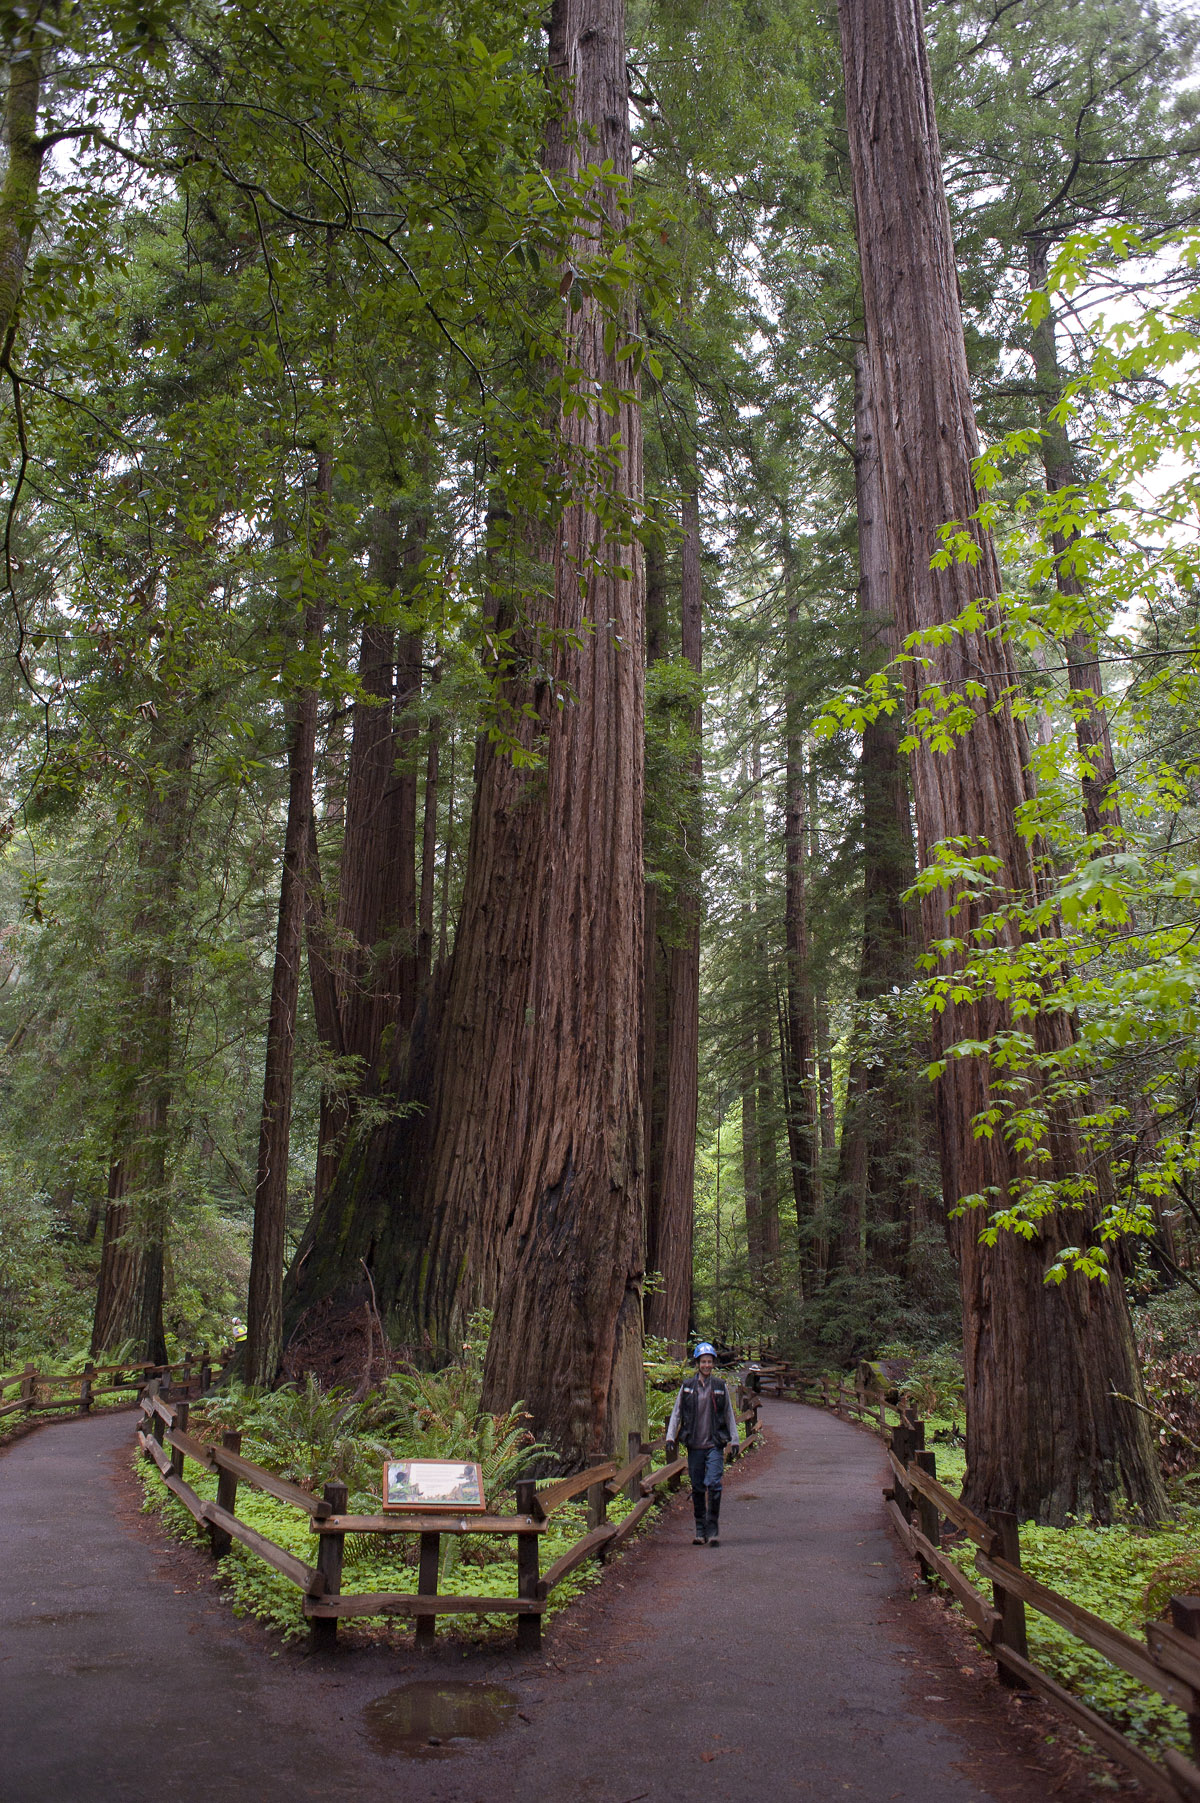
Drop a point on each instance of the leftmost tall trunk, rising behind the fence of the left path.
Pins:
(129, 1299)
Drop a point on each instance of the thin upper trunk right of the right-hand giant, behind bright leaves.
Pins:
(1084, 672)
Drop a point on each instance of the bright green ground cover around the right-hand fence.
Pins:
(1122, 1573)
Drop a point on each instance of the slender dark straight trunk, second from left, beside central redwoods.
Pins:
(264, 1321)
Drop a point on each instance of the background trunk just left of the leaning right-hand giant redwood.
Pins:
(882, 1130)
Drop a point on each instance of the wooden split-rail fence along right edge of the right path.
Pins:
(927, 1517)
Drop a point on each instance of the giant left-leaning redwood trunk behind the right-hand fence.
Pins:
(1046, 1368)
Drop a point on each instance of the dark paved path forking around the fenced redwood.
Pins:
(786, 1663)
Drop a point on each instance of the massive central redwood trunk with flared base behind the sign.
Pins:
(520, 1182)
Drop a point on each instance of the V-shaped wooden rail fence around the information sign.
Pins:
(165, 1440)
